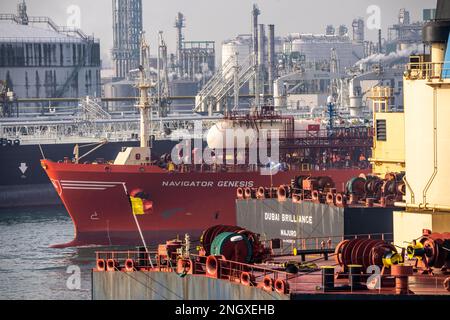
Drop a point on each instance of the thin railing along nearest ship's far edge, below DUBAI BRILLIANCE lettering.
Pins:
(294, 245)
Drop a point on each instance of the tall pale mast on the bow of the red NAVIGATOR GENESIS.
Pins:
(144, 102)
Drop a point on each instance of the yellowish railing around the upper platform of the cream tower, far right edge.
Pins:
(431, 71)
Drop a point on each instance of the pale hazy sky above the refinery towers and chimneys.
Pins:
(222, 19)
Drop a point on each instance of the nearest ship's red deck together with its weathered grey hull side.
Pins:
(307, 284)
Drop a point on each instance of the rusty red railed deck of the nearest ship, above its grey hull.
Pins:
(316, 276)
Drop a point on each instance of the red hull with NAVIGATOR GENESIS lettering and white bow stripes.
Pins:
(97, 198)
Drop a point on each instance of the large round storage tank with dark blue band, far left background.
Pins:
(37, 62)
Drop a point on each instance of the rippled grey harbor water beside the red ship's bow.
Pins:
(30, 268)
